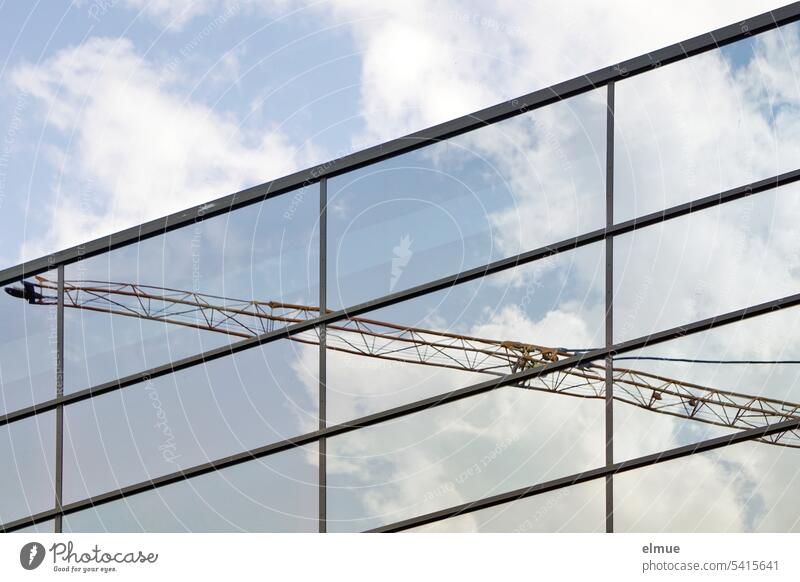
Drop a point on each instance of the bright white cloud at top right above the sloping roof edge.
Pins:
(427, 62)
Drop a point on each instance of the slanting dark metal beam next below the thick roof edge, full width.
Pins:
(414, 292)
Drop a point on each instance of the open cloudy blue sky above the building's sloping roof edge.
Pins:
(318, 79)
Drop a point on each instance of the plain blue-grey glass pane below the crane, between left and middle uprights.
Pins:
(197, 415)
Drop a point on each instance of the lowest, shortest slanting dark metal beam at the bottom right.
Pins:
(600, 472)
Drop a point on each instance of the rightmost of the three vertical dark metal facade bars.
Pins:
(609, 323)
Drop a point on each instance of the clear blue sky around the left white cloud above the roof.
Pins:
(268, 91)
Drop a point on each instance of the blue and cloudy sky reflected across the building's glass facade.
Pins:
(683, 131)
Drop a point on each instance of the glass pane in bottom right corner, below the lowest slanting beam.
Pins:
(749, 487)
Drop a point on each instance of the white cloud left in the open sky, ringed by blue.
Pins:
(138, 147)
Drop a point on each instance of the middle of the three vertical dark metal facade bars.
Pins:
(323, 307)
